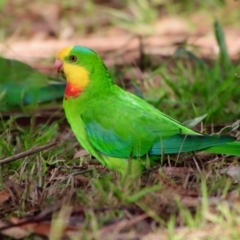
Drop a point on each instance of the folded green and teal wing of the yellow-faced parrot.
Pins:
(122, 125)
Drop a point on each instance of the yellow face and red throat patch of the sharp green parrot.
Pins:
(77, 76)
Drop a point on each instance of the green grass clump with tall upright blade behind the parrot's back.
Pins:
(188, 82)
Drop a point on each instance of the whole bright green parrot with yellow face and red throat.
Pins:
(118, 128)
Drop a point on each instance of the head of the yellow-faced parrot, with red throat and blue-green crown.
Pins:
(82, 68)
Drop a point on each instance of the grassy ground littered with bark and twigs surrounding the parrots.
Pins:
(180, 56)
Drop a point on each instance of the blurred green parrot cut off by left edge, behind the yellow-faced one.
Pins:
(20, 85)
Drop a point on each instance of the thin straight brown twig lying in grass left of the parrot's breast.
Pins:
(27, 153)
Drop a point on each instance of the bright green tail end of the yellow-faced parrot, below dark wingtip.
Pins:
(232, 148)
